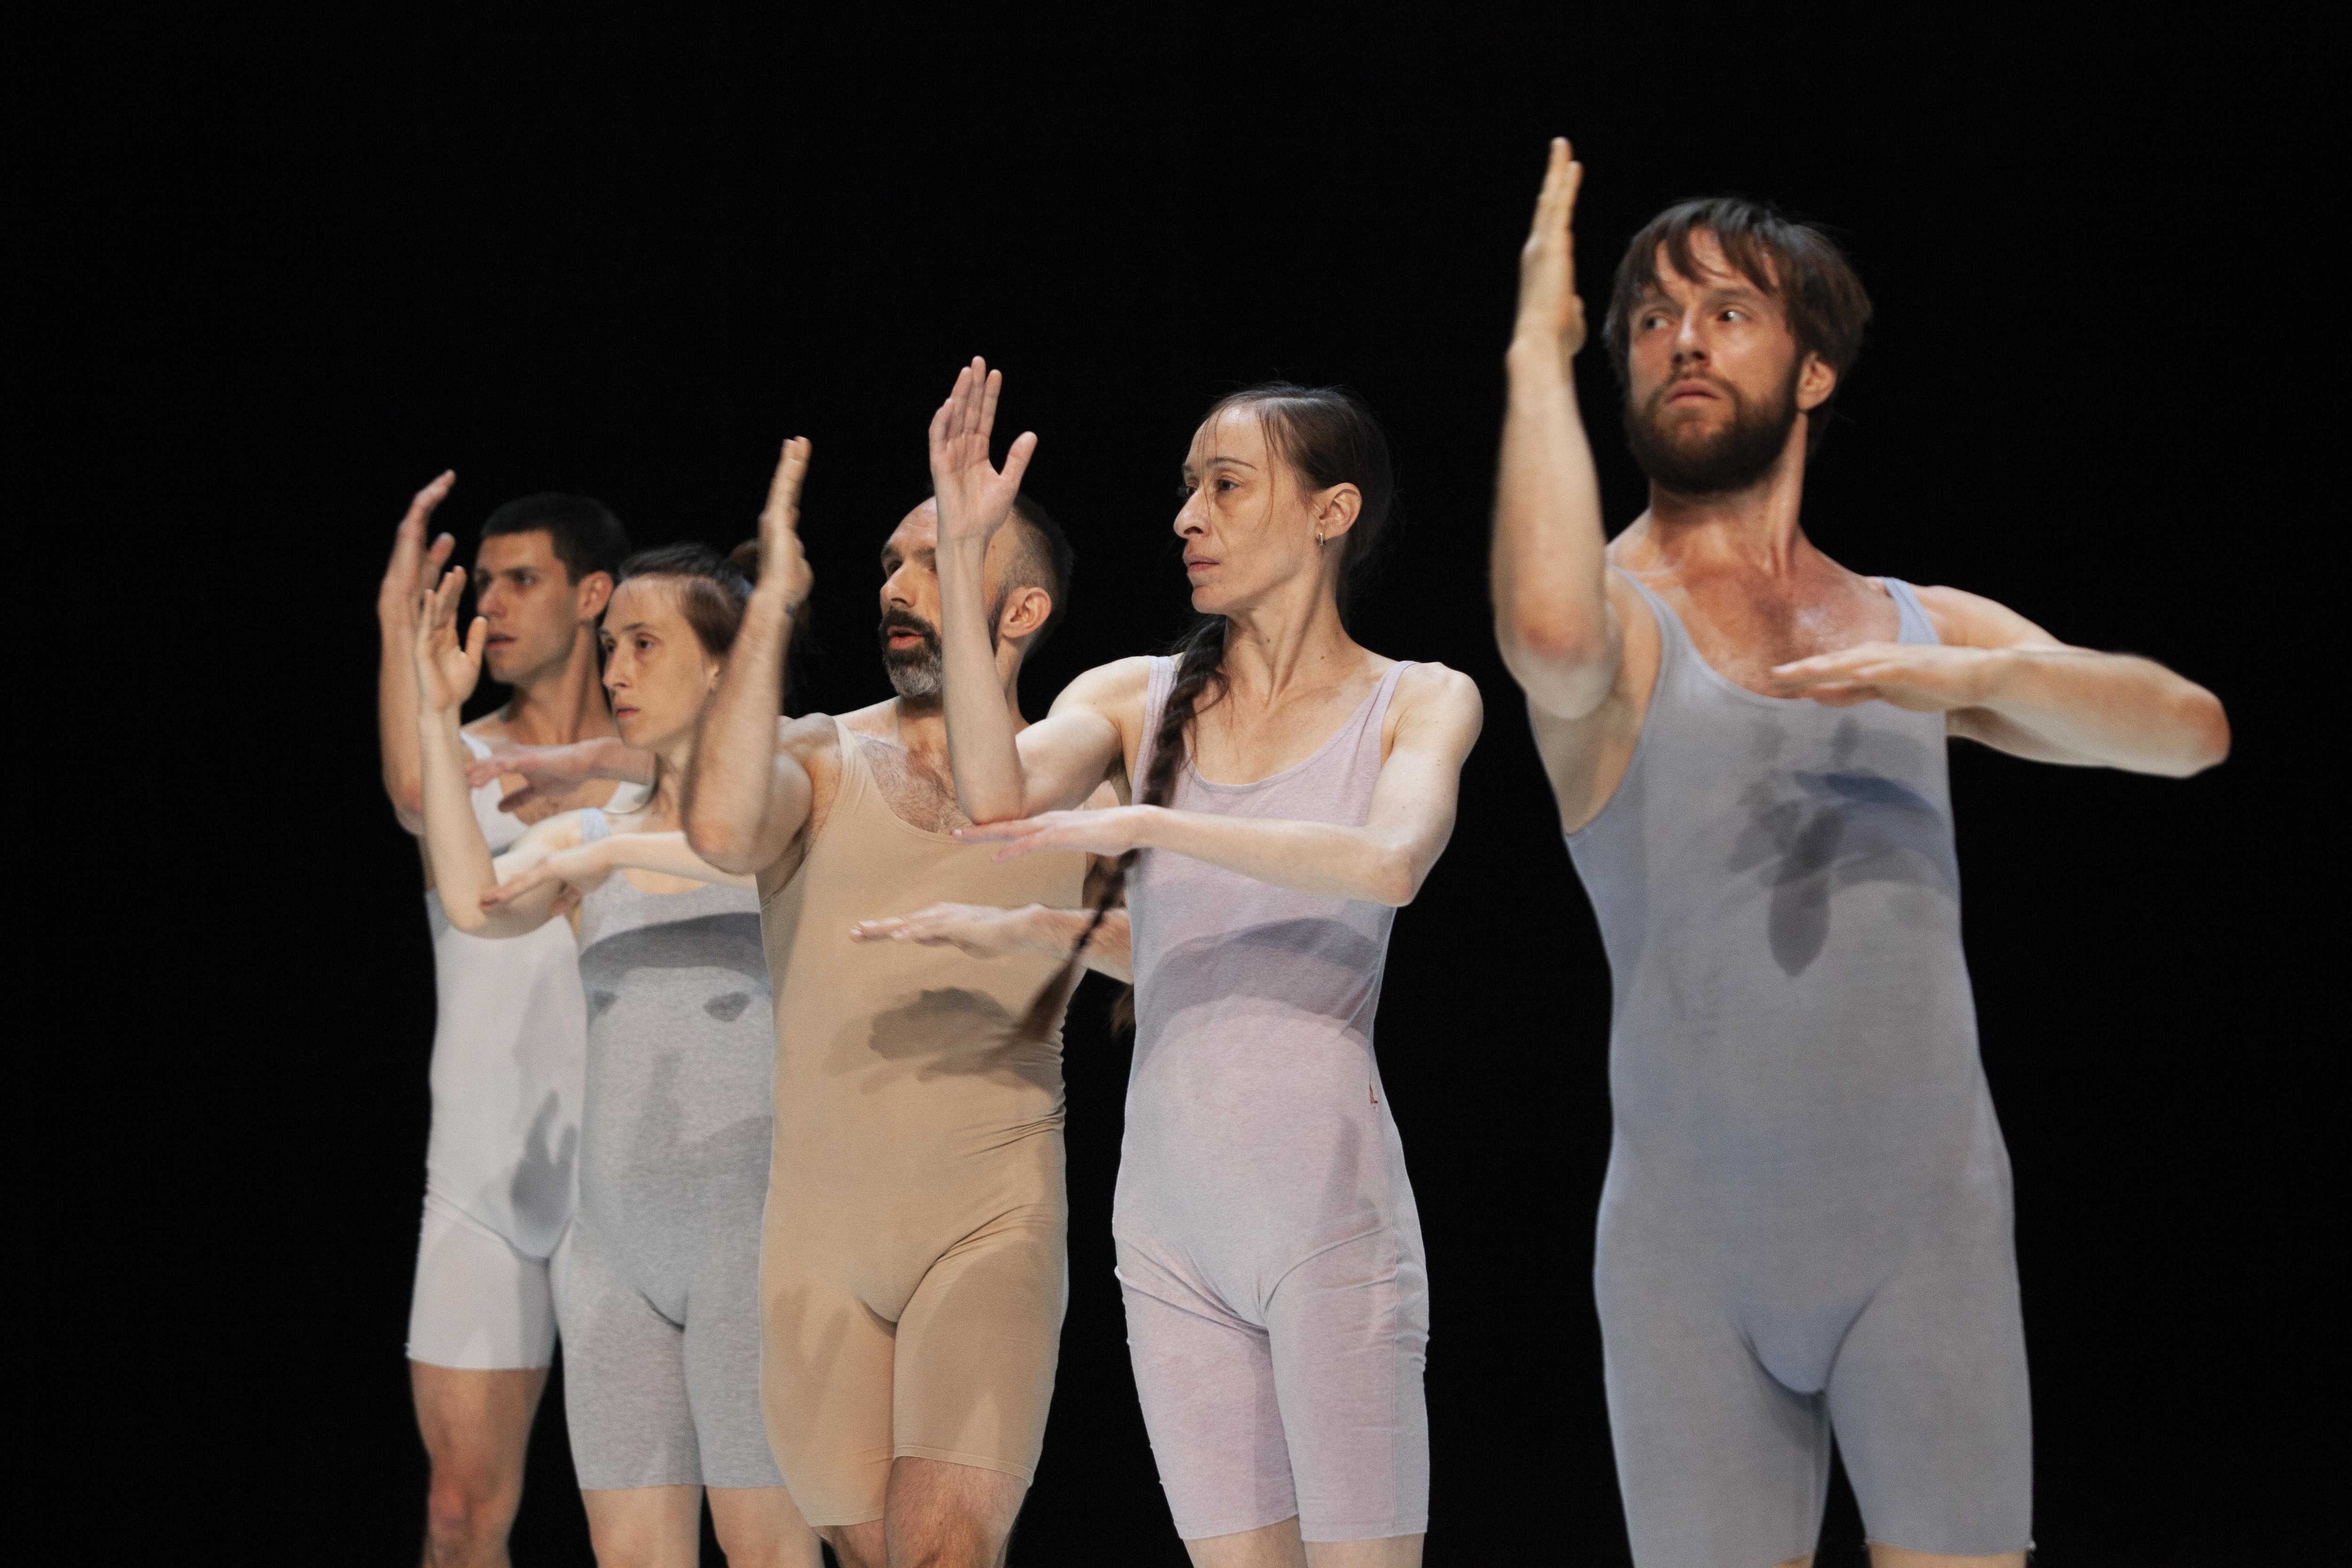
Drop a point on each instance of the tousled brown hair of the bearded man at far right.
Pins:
(1793, 262)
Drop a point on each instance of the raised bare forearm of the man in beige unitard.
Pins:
(747, 798)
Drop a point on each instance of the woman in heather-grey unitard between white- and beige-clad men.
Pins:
(660, 1308)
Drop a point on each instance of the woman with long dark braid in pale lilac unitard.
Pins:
(1292, 789)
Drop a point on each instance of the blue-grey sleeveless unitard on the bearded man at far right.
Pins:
(1808, 1221)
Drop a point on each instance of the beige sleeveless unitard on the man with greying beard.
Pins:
(914, 1268)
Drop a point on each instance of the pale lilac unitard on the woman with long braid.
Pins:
(1267, 1233)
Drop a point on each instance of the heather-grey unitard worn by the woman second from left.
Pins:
(662, 1301)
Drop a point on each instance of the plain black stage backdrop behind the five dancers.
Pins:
(305, 262)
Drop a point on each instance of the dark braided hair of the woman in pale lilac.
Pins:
(1328, 436)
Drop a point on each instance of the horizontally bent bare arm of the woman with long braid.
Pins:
(1384, 862)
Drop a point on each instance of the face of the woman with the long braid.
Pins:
(1245, 523)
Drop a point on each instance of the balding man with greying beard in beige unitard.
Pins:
(914, 1268)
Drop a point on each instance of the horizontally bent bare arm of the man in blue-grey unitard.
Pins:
(2010, 685)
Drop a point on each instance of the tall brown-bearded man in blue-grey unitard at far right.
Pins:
(1808, 1221)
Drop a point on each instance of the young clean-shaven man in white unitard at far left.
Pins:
(512, 1036)
